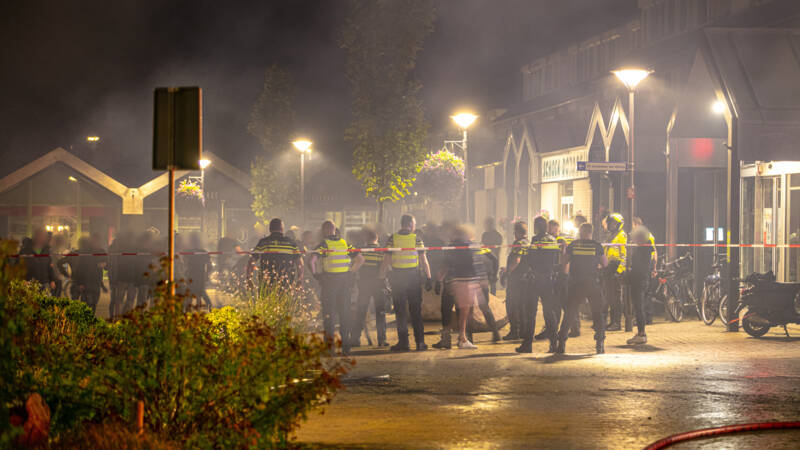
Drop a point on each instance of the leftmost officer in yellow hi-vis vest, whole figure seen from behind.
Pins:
(331, 263)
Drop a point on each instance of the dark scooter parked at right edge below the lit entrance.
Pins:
(769, 304)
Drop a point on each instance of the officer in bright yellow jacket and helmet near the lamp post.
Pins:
(616, 253)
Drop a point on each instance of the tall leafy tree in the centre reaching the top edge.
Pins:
(381, 39)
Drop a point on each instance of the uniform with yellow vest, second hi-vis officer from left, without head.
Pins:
(407, 287)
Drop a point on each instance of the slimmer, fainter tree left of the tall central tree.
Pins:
(274, 182)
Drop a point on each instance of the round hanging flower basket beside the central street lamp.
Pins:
(441, 177)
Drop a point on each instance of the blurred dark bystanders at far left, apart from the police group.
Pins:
(131, 262)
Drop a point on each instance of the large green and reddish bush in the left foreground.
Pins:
(233, 378)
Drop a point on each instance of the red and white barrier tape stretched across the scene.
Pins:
(399, 249)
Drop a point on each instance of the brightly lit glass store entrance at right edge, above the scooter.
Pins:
(771, 216)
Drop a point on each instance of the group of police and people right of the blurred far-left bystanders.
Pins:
(561, 272)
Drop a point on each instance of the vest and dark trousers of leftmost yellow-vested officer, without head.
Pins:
(334, 286)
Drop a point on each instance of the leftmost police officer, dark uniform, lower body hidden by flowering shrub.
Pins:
(277, 257)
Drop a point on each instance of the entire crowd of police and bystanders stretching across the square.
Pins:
(561, 272)
